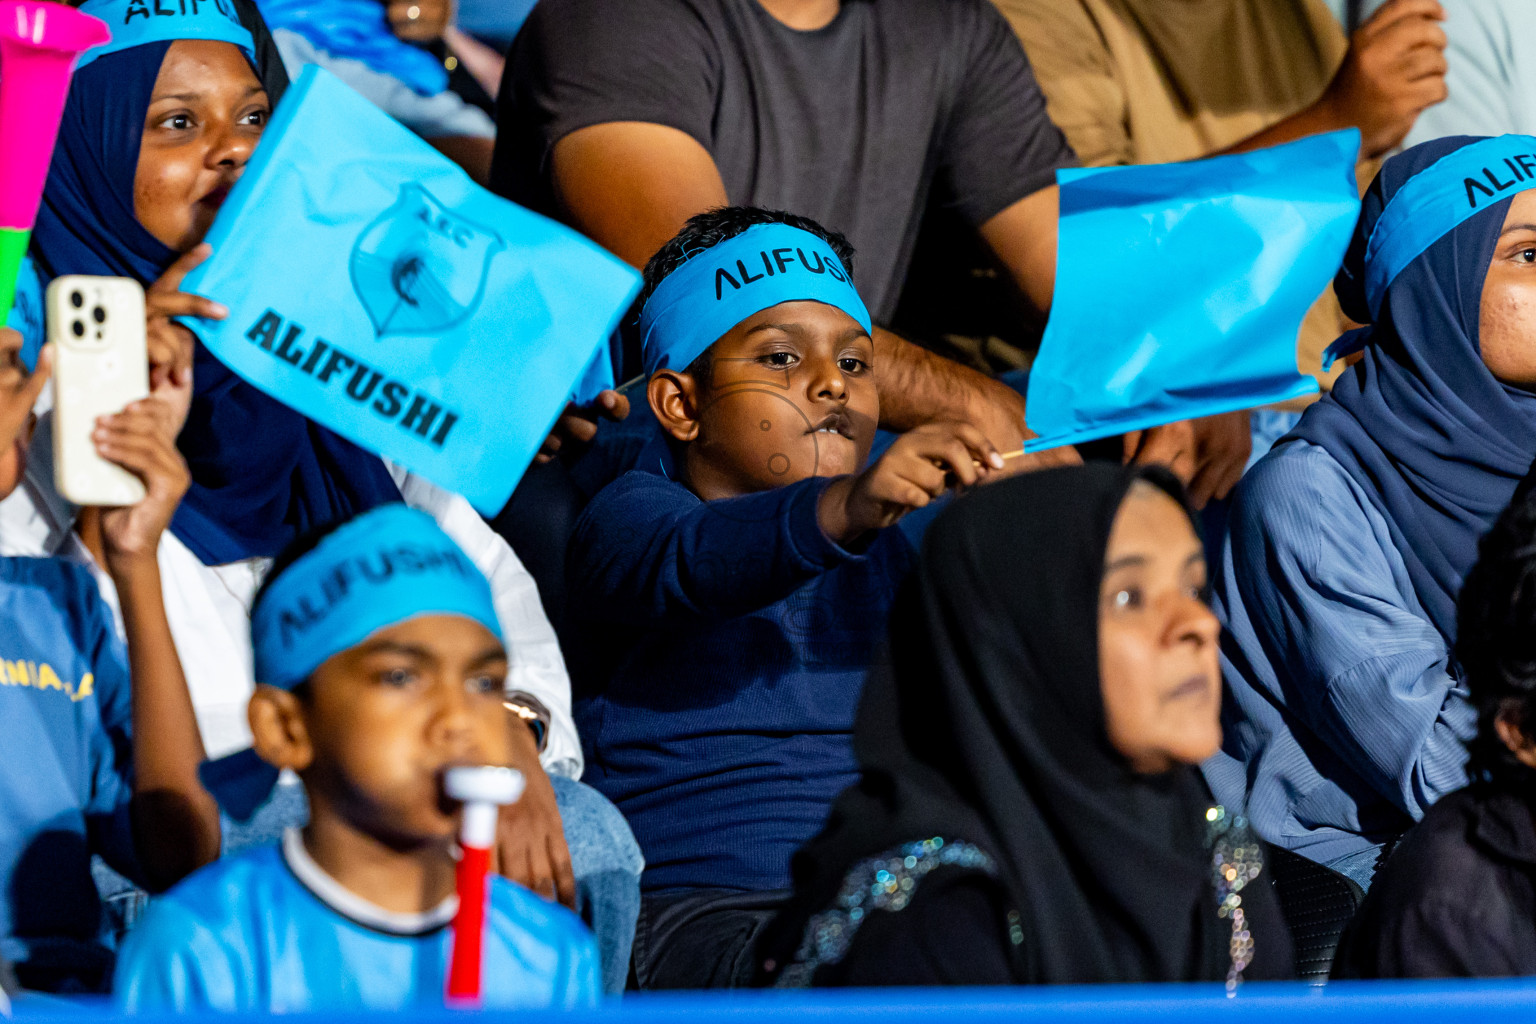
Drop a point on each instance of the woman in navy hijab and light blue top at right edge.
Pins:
(1351, 540)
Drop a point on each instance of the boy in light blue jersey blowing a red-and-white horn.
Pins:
(382, 667)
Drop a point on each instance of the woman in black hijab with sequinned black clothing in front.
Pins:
(1030, 808)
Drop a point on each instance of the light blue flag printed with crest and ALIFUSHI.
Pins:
(379, 291)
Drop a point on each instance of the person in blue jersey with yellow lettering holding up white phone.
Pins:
(90, 762)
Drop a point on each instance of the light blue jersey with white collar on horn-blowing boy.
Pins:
(268, 931)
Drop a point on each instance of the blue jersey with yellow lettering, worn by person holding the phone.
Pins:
(65, 762)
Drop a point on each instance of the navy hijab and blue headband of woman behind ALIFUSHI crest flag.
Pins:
(262, 474)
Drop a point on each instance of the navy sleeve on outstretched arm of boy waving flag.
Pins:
(649, 550)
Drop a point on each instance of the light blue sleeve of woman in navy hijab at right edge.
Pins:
(1354, 658)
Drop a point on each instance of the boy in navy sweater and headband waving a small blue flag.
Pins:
(729, 606)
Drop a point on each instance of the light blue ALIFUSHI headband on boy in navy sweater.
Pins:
(720, 288)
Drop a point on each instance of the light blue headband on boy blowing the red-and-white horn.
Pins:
(382, 569)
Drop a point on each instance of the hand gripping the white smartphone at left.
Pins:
(144, 441)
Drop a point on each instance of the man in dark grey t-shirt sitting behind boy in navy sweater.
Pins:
(626, 117)
